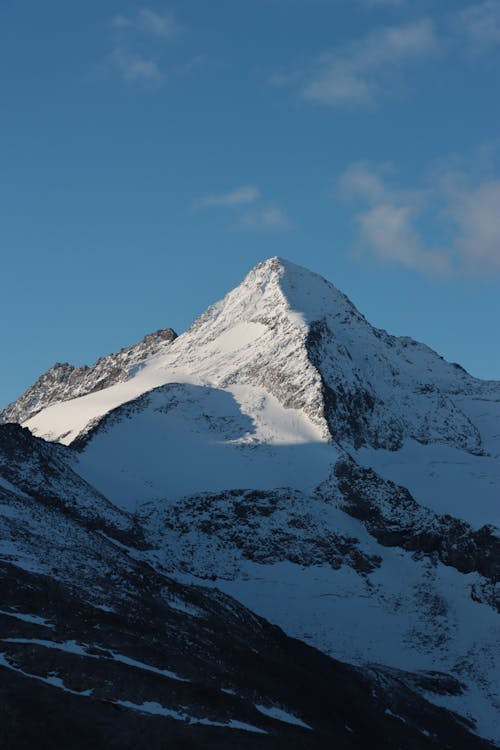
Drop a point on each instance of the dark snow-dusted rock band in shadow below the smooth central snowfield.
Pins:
(264, 527)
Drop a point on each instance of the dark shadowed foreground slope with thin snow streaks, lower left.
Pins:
(99, 649)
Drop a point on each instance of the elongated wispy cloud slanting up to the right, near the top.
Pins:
(359, 73)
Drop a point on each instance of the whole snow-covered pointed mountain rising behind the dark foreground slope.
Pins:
(338, 481)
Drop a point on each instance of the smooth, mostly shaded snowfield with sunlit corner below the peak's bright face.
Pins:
(180, 439)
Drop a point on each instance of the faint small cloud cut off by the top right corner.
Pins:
(480, 25)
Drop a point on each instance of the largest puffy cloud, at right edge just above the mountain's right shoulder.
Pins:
(389, 220)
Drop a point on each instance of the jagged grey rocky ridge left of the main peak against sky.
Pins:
(64, 382)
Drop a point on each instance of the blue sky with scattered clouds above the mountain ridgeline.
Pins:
(150, 154)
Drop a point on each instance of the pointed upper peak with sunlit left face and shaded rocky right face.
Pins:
(293, 335)
